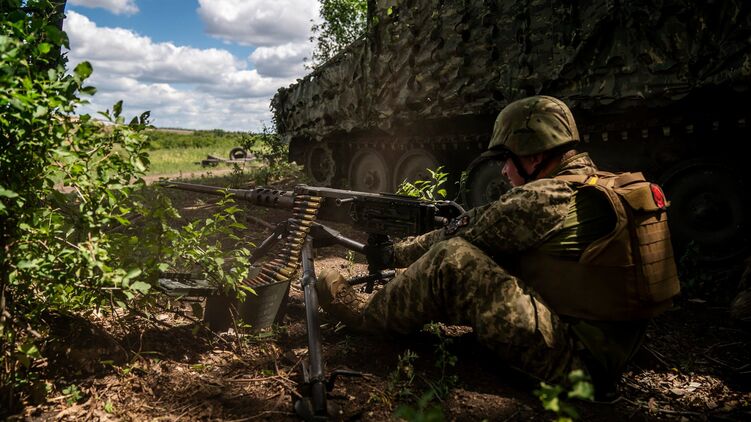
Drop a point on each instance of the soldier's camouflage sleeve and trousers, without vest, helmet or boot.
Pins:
(457, 278)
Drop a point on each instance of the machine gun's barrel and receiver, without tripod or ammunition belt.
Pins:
(373, 213)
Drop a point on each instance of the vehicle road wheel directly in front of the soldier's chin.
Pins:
(484, 183)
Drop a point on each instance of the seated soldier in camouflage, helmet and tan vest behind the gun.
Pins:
(563, 271)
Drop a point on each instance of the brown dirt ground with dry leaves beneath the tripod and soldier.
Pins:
(165, 365)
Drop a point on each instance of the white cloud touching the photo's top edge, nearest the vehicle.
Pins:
(259, 22)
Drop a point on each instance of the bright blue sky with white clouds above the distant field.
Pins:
(203, 64)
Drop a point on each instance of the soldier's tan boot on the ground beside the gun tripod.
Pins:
(339, 299)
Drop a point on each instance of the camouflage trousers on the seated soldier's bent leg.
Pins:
(456, 283)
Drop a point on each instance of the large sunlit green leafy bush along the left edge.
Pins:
(56, 249)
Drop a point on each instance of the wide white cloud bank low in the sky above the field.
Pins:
(182, 86)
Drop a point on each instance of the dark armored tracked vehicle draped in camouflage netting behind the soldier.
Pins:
(656, 86)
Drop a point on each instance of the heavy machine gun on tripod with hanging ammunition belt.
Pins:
(381, 216)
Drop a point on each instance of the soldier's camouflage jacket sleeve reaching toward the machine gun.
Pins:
(519, 220)
